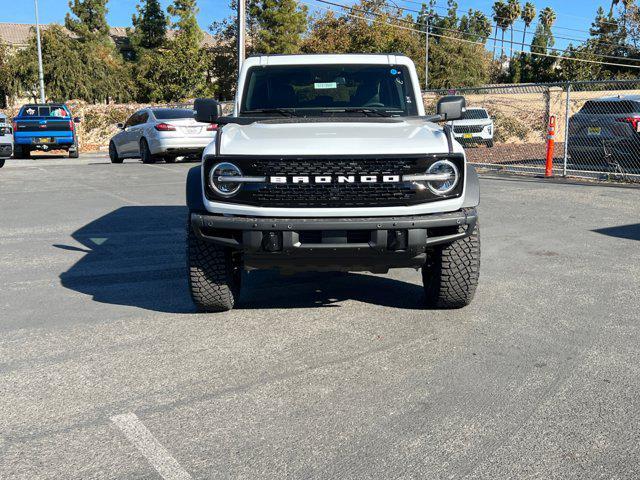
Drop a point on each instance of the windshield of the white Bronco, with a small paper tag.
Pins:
(317, 90)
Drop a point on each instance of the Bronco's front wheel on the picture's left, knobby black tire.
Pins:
(215, 274)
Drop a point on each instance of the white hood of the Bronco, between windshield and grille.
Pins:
(335, 137)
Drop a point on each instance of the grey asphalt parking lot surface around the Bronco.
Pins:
(106, 371)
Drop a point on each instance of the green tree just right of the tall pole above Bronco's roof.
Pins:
(280, 25)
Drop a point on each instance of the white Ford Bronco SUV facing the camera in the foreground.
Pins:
(329, 163)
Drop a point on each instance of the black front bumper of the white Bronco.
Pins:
(368, 244)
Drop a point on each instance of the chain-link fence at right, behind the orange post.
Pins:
(597, 128)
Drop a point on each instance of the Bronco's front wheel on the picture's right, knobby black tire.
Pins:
(452, 271)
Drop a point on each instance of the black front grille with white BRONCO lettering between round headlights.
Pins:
(335, 193)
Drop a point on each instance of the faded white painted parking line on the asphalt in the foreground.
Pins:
(158, 456)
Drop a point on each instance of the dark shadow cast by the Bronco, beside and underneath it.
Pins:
(135, 256)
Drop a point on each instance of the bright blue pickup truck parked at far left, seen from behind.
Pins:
(45, 127)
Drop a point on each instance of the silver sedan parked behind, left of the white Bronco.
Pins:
(154, 134)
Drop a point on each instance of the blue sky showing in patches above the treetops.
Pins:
(572, 14)
